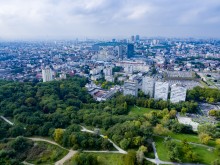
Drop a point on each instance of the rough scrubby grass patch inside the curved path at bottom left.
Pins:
(44, 153)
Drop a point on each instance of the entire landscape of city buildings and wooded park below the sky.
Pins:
(136, 101)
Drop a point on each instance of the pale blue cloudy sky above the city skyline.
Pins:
(70, 19)
